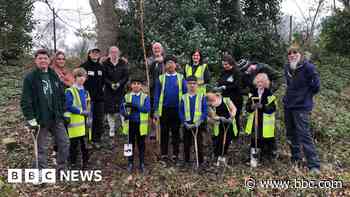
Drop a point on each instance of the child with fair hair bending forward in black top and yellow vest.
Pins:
(222, 113)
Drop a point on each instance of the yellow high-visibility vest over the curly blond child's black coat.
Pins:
(268, 121)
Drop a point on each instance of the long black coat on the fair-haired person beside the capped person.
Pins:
(114, 74)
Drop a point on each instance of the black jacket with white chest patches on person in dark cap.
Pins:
(95, 81)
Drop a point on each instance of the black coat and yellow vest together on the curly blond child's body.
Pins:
(266, 115)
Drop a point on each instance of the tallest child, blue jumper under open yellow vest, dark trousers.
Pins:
(168, 92)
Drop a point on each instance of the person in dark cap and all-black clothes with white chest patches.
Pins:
(95, 86)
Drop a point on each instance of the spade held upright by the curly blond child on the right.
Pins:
(254, 152)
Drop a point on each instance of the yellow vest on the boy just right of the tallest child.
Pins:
(197, 109)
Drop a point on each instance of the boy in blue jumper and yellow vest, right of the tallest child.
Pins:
(193, 113)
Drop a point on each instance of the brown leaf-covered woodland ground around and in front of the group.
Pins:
(330, 126)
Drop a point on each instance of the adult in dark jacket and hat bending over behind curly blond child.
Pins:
(251, 69)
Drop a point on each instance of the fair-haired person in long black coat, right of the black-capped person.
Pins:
(116, 77)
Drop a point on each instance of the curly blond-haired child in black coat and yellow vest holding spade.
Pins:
(264, 102)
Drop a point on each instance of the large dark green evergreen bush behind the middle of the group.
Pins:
(241, 28)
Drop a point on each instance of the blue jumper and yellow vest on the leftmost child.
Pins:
(77, 101)
